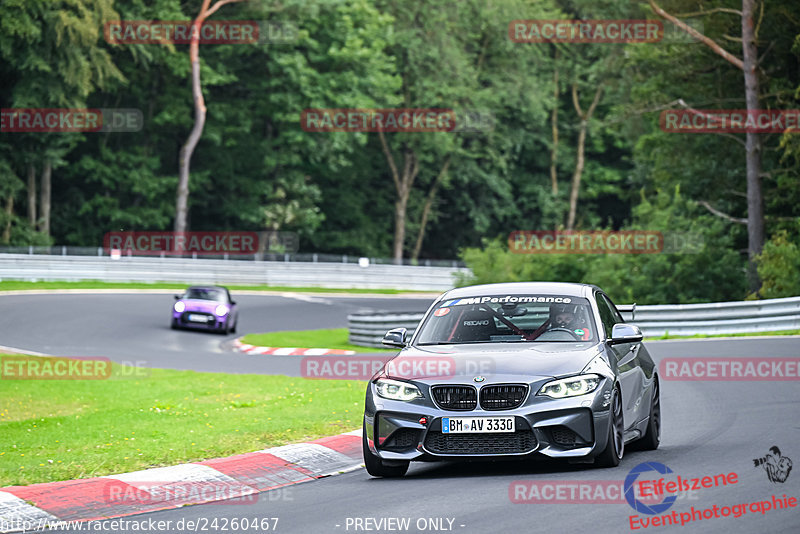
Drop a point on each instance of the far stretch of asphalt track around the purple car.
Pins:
(134, 328)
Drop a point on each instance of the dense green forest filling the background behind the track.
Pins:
(569, 135)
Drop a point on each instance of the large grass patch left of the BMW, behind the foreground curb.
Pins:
(138, 418)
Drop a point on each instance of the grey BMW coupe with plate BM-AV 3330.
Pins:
(513, 370)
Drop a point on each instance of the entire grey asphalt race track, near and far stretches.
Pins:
(709, 428)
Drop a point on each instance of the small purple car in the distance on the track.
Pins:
(205, 308)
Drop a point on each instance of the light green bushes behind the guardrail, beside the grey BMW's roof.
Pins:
(688, 275)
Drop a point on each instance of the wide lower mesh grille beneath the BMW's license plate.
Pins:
(521, 441)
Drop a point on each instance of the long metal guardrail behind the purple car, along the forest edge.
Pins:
(37, 267)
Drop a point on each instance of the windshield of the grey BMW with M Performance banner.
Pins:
(509, 319)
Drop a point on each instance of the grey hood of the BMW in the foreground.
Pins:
(496, 362)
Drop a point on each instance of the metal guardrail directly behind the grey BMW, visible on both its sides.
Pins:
(657, 320)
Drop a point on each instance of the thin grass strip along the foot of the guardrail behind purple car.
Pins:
(20, 285)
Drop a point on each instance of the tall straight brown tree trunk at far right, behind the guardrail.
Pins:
(755, 202)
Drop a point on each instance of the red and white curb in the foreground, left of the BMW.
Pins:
(241, 478)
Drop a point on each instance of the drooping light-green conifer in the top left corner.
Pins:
(54, 58)
